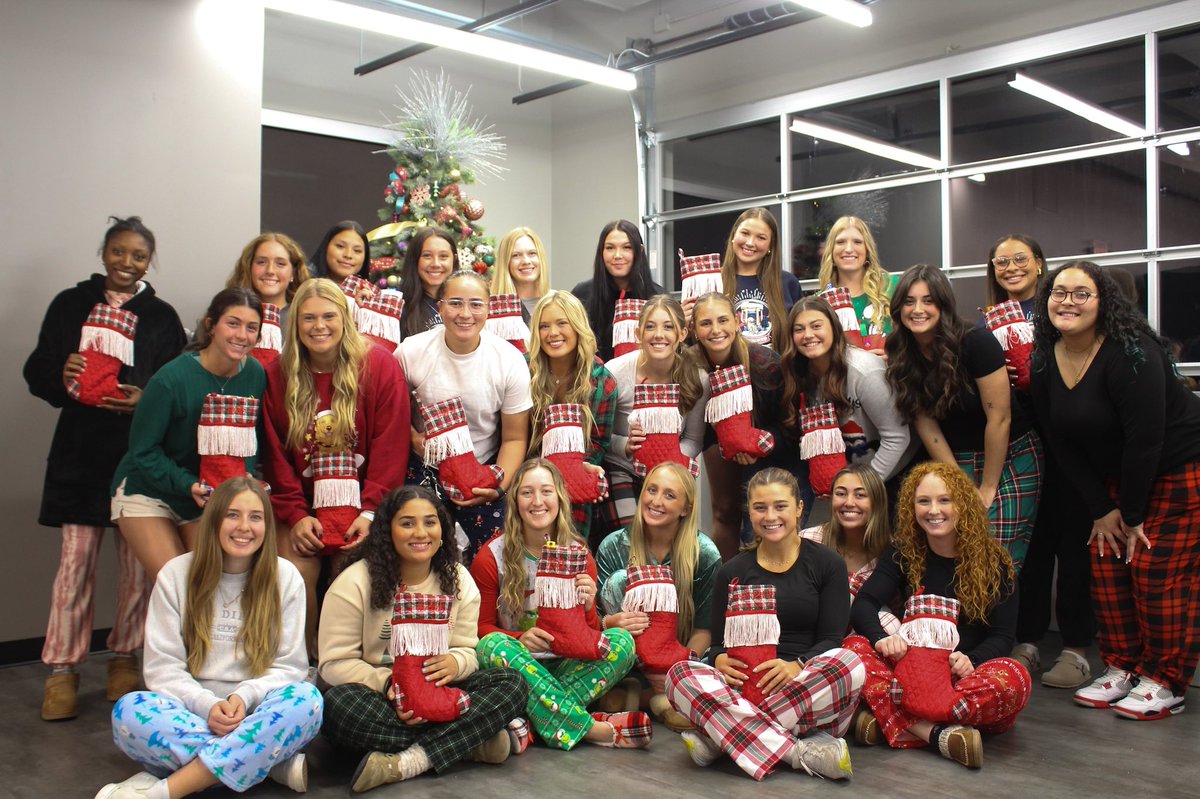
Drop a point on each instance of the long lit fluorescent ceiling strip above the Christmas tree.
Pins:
(416, 31)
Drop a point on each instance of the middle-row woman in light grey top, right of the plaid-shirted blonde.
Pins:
(659, 361)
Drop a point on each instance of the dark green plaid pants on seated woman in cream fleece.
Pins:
(362, 719)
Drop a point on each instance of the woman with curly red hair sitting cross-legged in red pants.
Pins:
(943, 548)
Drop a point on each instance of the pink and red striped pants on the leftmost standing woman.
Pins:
(73, 605)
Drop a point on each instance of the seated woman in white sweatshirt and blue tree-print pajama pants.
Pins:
(225, 663)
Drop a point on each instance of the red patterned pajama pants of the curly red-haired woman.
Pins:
(995, 694)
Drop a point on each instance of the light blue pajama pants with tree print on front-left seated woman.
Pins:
(163, 735)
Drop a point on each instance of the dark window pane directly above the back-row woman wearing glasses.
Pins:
(1091, 206)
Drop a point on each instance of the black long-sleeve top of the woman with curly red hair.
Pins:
(980, 641)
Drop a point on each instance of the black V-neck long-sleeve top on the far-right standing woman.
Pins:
(1125, 422)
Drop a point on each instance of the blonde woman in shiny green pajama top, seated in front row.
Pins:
(665, 532)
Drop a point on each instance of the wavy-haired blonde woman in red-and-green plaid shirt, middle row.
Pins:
(563, 368)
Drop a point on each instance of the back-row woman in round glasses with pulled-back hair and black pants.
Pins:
(1016, 266)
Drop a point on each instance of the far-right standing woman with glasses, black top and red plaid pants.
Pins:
(1129, 437)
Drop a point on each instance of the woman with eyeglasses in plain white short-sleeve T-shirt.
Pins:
(460, 359)
